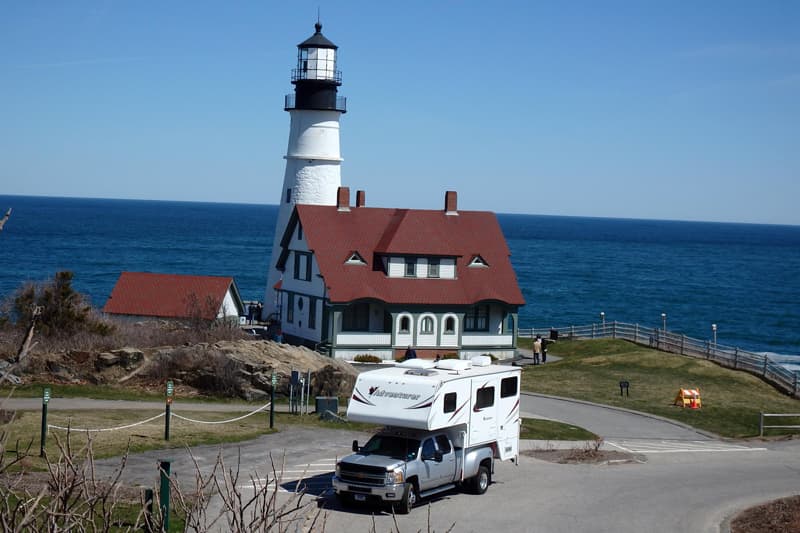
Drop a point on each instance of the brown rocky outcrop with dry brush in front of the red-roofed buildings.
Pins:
(241, 368)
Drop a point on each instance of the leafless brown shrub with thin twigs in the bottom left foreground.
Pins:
(73, 498)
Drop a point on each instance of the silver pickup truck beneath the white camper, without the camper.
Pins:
(398, 466)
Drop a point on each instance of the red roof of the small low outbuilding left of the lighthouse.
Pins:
(166, 295)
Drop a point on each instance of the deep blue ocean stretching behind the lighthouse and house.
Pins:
(743, 277)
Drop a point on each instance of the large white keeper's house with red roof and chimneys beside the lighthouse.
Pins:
(359, 280)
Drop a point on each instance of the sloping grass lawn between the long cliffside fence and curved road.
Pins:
(591, 370)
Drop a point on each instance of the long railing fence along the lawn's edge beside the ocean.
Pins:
(667, 341)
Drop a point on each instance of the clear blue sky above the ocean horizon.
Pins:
(671, 110)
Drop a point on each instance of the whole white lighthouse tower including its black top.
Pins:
(313, 159)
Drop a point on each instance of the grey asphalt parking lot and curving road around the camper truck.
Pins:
(685, 483)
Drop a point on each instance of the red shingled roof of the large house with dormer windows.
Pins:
(334, 235)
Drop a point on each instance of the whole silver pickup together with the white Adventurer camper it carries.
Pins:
(445, 424)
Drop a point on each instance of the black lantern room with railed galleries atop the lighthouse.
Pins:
(316, 79)
